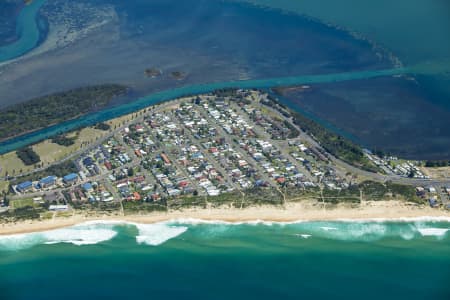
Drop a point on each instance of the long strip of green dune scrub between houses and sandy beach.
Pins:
(366, 191)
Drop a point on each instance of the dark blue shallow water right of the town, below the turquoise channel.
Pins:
(393, 114)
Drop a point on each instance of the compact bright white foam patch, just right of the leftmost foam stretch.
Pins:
(157, 234)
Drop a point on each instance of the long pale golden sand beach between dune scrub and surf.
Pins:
(370, 211)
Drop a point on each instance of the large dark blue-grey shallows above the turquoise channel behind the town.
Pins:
(210, 41)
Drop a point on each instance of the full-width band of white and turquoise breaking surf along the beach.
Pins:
(95, 232)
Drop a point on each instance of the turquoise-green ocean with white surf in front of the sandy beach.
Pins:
(191, 259)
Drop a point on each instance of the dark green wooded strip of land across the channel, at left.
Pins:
(56, 108)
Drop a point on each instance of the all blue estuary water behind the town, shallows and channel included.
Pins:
(216, 43)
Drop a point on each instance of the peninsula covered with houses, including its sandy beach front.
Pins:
(238, 151)
